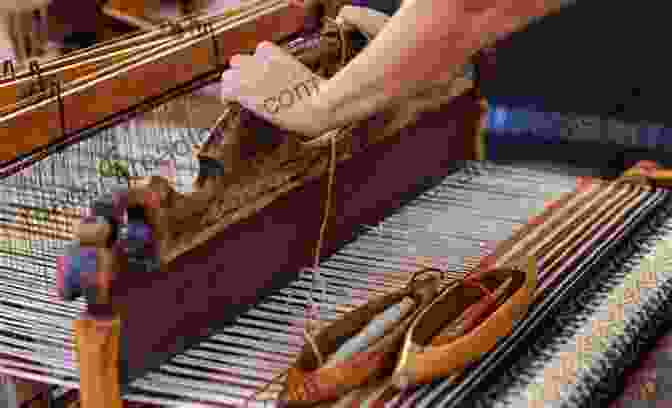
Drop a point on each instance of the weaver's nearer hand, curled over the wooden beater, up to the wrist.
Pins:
(276, 87)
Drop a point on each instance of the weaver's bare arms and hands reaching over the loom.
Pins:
(422, 46)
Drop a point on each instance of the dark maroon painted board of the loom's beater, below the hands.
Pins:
(205, 288)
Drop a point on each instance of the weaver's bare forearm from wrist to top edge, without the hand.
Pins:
(422, 43)
